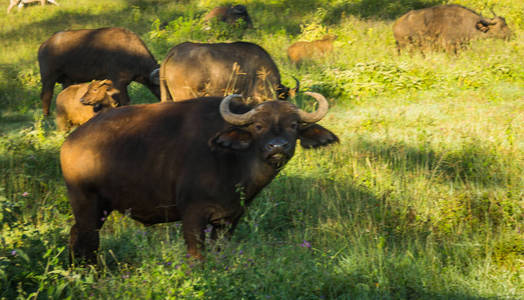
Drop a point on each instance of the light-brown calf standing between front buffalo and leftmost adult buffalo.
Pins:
(80, 102)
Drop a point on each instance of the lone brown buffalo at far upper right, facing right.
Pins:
(446, 27)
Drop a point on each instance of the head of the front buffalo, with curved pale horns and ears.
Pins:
(272, 128)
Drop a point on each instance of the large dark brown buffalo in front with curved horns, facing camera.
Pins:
(199, 161)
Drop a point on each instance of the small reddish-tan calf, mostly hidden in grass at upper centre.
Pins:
(307, 50)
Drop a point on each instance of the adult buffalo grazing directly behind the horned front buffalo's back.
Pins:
(193, 70)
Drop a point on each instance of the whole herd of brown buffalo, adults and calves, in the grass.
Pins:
(221, 132)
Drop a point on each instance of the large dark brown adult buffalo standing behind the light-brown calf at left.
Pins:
(77, 56)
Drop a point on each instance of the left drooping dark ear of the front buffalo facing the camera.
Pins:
(232, 139)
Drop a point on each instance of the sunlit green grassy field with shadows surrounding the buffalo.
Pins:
(422, 199)
